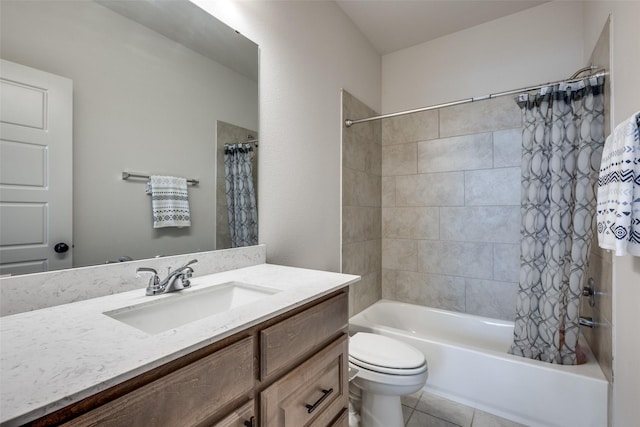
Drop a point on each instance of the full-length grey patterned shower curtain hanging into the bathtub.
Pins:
(562, 143)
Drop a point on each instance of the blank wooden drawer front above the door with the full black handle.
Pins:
(289, 341)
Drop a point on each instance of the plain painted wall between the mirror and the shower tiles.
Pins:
(308, 52)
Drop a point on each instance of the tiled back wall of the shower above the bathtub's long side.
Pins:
(450, 207)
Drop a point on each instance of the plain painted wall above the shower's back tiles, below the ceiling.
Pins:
(534, 46)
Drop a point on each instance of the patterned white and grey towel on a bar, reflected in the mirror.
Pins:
(169, 201)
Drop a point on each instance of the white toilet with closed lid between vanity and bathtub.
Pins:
(383, 370)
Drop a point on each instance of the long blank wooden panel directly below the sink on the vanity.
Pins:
(185, 397)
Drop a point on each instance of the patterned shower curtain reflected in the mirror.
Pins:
(241, 196)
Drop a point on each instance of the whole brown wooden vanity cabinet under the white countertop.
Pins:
(290, 370)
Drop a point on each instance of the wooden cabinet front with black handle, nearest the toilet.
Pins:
(313, 394)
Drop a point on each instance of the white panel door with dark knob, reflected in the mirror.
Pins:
(36, 116)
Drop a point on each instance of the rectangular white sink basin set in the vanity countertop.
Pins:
(179, 308)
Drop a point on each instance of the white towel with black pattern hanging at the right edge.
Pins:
(618, 211)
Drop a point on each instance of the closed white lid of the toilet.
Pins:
(385, 352)
